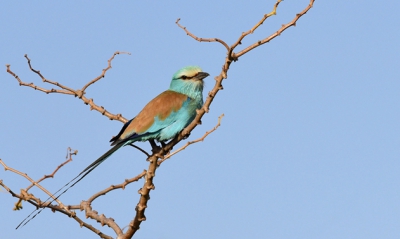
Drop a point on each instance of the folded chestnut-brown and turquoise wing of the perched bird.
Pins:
(159, 113)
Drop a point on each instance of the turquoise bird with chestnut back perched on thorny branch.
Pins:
(161, 119)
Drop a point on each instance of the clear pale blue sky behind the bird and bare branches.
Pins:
(308, 147)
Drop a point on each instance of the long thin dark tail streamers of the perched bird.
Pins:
(78, 178)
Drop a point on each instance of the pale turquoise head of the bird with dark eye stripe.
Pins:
(188, 81)
